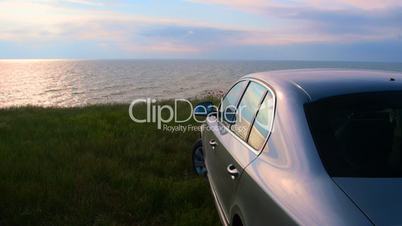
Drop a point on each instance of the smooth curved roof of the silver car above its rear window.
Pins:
(321, 83)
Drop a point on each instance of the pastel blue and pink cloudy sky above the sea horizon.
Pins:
(341, 30)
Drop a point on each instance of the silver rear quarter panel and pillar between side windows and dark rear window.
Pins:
(293, 179)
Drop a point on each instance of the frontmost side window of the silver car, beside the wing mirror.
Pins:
(229, 103)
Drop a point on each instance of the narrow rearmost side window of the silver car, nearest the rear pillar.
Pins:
(262, 123)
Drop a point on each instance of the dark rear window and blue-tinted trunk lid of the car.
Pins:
(359, 139)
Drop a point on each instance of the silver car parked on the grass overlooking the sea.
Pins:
(305, 147)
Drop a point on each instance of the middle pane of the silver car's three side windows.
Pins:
(247, 109)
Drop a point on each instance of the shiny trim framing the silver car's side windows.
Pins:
(269, 89)
